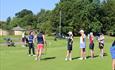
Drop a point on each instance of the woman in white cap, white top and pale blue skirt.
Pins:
(82, 45)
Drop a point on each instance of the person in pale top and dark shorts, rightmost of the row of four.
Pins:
(101, 45)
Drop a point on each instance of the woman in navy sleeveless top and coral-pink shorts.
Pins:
(40, 45)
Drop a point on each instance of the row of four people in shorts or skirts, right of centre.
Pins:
(83, 45)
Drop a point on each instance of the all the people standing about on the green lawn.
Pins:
(40, 38)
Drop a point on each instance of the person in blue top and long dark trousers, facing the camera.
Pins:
(31, 43)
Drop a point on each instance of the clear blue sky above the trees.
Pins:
(10, 7)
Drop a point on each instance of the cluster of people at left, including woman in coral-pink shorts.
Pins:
(30, 40)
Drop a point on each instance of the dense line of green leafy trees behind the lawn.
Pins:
(89, 15)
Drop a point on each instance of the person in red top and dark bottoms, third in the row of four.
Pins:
(91, 44)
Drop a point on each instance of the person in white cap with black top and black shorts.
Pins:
(69, 46)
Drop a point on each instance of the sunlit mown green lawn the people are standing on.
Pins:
(16, 58)
